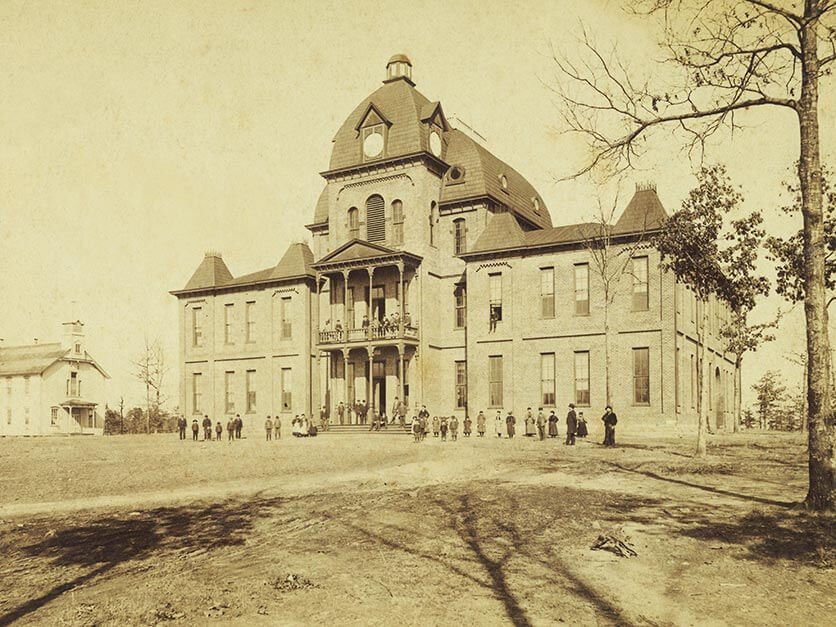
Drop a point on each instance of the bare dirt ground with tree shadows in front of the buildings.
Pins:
(354, 530)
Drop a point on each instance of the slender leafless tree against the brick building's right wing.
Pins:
(611, 255)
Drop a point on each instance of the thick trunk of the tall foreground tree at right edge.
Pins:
(822, 466)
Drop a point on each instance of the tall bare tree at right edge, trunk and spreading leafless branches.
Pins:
(730, 57)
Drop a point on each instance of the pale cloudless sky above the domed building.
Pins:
(136, 136)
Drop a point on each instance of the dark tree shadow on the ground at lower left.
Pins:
(104, 542)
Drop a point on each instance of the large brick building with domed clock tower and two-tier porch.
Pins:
(435, 276)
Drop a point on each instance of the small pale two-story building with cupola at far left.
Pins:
(51, 389)
